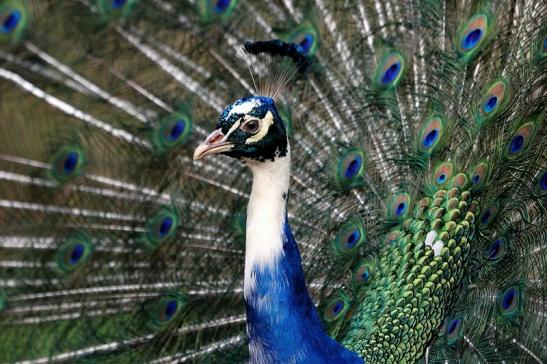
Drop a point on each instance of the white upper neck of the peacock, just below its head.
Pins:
(266, 215)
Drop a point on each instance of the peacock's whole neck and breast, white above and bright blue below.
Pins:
(282, 323)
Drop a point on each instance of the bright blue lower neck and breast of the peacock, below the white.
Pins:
(282, 319)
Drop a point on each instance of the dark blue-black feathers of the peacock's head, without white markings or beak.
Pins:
(272, 145)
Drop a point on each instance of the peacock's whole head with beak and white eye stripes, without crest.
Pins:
(250, 130)
